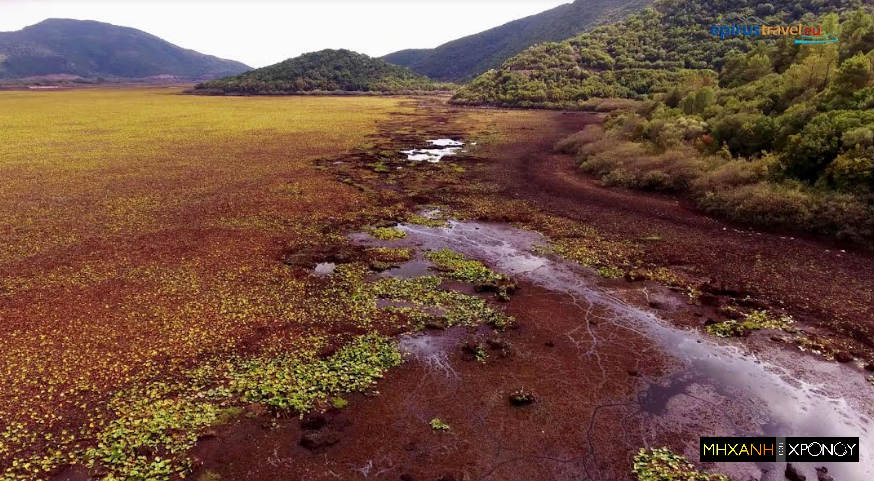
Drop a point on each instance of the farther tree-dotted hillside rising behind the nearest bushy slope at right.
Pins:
(650, 51)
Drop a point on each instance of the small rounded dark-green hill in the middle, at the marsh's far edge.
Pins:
(325, 70)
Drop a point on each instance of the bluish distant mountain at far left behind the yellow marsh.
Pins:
(90, 49)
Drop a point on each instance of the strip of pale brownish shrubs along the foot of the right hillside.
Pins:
(744, 190)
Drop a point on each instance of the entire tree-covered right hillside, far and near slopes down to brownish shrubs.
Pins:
(769, 133)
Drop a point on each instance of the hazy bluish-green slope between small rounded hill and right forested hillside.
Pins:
(467, 57)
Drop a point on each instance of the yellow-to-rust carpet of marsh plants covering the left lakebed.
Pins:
(140, 228)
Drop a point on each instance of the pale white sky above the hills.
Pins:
(261, 33)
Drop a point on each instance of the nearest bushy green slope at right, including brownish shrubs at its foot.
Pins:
(782, 136)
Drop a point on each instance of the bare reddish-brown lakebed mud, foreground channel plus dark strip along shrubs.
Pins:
(612, 365)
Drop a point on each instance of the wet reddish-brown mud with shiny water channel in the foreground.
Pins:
(606, 375)
